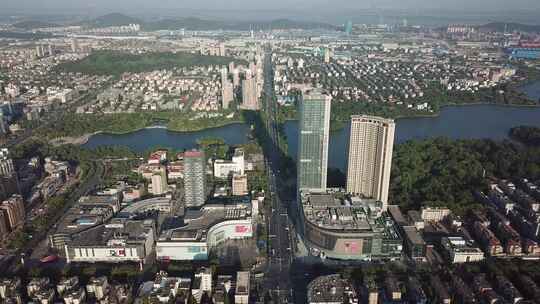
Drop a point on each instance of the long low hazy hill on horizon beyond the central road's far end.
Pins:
(196, 24)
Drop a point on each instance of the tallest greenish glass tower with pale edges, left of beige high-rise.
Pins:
(314, 132)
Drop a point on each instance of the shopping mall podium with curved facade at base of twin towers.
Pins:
(345, 229)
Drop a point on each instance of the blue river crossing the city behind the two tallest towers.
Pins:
(458, 122)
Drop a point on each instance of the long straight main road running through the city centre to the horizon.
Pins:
(277, 277)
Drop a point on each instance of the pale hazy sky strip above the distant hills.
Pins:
(135, 5)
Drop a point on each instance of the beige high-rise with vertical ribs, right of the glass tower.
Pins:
(370, 157)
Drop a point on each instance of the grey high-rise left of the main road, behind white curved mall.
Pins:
(194, 178)
